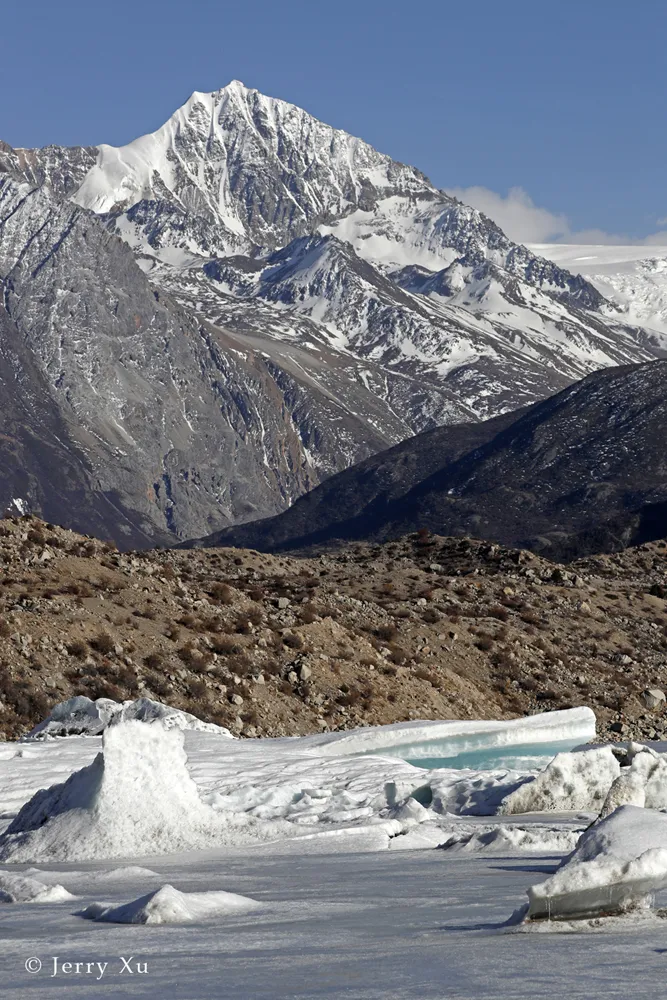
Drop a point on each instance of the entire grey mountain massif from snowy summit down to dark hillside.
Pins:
(227, 311)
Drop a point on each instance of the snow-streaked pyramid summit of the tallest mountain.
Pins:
(259, 167)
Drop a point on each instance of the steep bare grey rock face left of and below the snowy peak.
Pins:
(166, 413)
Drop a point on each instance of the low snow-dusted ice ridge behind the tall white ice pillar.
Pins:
(80, 716)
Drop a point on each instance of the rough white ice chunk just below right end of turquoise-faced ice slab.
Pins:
(571, 782)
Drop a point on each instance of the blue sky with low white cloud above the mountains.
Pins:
(556, 111)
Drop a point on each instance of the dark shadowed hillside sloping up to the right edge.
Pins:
(581, 472)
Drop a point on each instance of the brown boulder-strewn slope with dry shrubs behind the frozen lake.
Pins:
(426, 627)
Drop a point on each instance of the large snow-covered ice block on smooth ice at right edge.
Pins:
(616, 865)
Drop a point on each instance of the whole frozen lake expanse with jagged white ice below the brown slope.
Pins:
(335, 838)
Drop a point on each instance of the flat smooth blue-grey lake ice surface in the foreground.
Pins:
(382, 926)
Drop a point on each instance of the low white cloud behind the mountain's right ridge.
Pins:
(525, 222)
